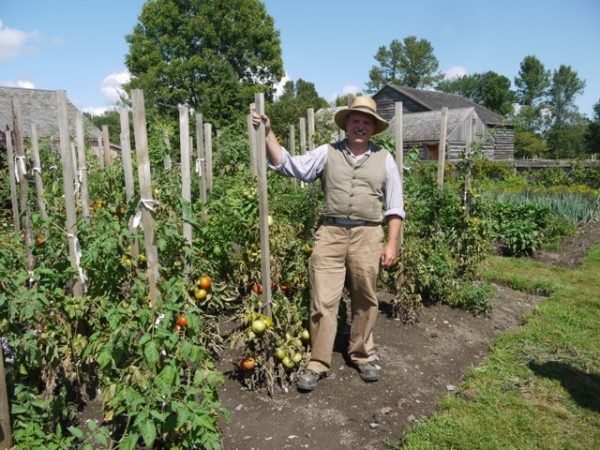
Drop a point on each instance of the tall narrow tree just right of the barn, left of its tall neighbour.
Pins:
(532, 85)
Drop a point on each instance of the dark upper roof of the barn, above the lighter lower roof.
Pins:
(435, 100)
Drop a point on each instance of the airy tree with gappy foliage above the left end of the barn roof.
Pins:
(409, 63)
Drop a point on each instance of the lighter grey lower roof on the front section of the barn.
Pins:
(425, 126)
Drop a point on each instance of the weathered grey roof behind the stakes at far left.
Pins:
(40, 107)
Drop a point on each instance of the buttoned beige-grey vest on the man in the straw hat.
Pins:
(354, 191)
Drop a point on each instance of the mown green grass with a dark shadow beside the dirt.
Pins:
(539, 388)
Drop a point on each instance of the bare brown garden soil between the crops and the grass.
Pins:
(420, 362)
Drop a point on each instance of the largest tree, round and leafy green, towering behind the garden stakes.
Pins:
(211, 55)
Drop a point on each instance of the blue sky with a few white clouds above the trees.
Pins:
(79, 45)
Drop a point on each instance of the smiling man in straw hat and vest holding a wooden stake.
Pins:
(362, 189)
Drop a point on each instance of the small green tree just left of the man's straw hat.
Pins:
(293, 103)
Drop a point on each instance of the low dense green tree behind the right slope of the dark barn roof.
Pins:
(488, 89)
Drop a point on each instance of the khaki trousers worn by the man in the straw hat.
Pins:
(344, 255)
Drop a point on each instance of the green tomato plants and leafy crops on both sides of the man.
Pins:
(153, 362)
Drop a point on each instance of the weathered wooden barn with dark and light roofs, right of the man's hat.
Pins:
(421, 123)
